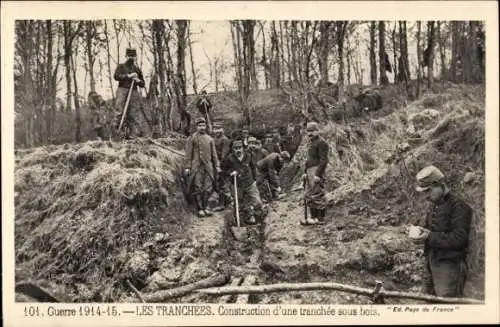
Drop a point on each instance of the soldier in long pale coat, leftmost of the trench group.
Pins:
(201, 166)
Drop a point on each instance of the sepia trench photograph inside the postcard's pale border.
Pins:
(249, 162)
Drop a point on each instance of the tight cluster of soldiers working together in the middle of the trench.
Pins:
(217, 165)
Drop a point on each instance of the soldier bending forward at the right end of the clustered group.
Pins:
(270, 167)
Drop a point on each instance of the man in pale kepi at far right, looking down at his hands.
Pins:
(445, 235)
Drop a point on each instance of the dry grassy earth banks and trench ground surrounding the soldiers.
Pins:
(91, 216)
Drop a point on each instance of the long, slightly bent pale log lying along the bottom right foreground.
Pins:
(289, 287)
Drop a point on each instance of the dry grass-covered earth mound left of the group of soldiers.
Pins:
(82, 210)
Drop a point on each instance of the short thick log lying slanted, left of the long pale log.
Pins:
(215, 280)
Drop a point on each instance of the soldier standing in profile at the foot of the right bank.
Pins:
(317, 160)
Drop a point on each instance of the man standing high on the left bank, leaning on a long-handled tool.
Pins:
(126, 73)
